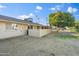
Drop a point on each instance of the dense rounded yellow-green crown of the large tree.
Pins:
(61, 19)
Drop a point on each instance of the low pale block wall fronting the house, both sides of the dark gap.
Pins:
(14, 33)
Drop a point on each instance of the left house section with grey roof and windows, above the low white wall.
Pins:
(9, 23)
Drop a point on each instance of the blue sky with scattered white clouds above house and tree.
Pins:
(37, 10)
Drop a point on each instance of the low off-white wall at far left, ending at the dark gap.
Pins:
(12, 33)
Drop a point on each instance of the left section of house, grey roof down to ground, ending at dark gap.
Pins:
(11, 27)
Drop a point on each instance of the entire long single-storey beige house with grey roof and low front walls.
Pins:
(11, 27)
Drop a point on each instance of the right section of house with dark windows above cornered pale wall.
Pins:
(38, 30)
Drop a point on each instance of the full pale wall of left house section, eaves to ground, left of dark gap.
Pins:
(6, 30)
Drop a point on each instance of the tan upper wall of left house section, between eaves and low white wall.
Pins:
(6, 23)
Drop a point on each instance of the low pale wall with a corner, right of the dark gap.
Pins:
(39, 32)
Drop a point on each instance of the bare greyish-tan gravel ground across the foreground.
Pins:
(49, 45)
